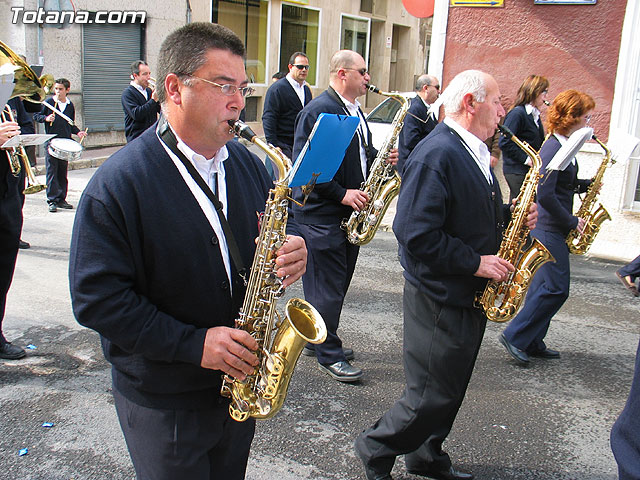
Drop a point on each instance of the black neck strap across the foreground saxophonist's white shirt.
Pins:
(168, 137)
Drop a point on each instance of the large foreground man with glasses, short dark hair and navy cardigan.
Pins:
(155, 271)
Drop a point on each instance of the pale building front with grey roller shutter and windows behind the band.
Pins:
(96, 57)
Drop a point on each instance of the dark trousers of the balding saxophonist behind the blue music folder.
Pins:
(331, 262)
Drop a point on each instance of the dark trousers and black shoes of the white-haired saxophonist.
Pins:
(441, 344)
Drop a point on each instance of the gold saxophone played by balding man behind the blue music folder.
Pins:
(382, 184)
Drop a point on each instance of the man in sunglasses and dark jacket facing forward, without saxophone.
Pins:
(283, 101)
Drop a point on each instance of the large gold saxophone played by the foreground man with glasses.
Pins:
(280, 340)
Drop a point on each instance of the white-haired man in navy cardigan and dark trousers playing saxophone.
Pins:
(448, 238)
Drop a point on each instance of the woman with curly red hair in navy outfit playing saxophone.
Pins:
(549, 289)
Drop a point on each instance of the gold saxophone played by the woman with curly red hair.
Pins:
(593, 213)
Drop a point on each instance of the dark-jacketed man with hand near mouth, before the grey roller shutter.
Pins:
(139, 102)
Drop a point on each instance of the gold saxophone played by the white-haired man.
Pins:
(501, 300)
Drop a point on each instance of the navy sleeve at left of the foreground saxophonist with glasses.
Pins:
(102, 272)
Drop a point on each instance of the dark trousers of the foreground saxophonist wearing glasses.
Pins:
(194, 444)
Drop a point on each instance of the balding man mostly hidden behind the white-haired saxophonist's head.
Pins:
(420, 120)
